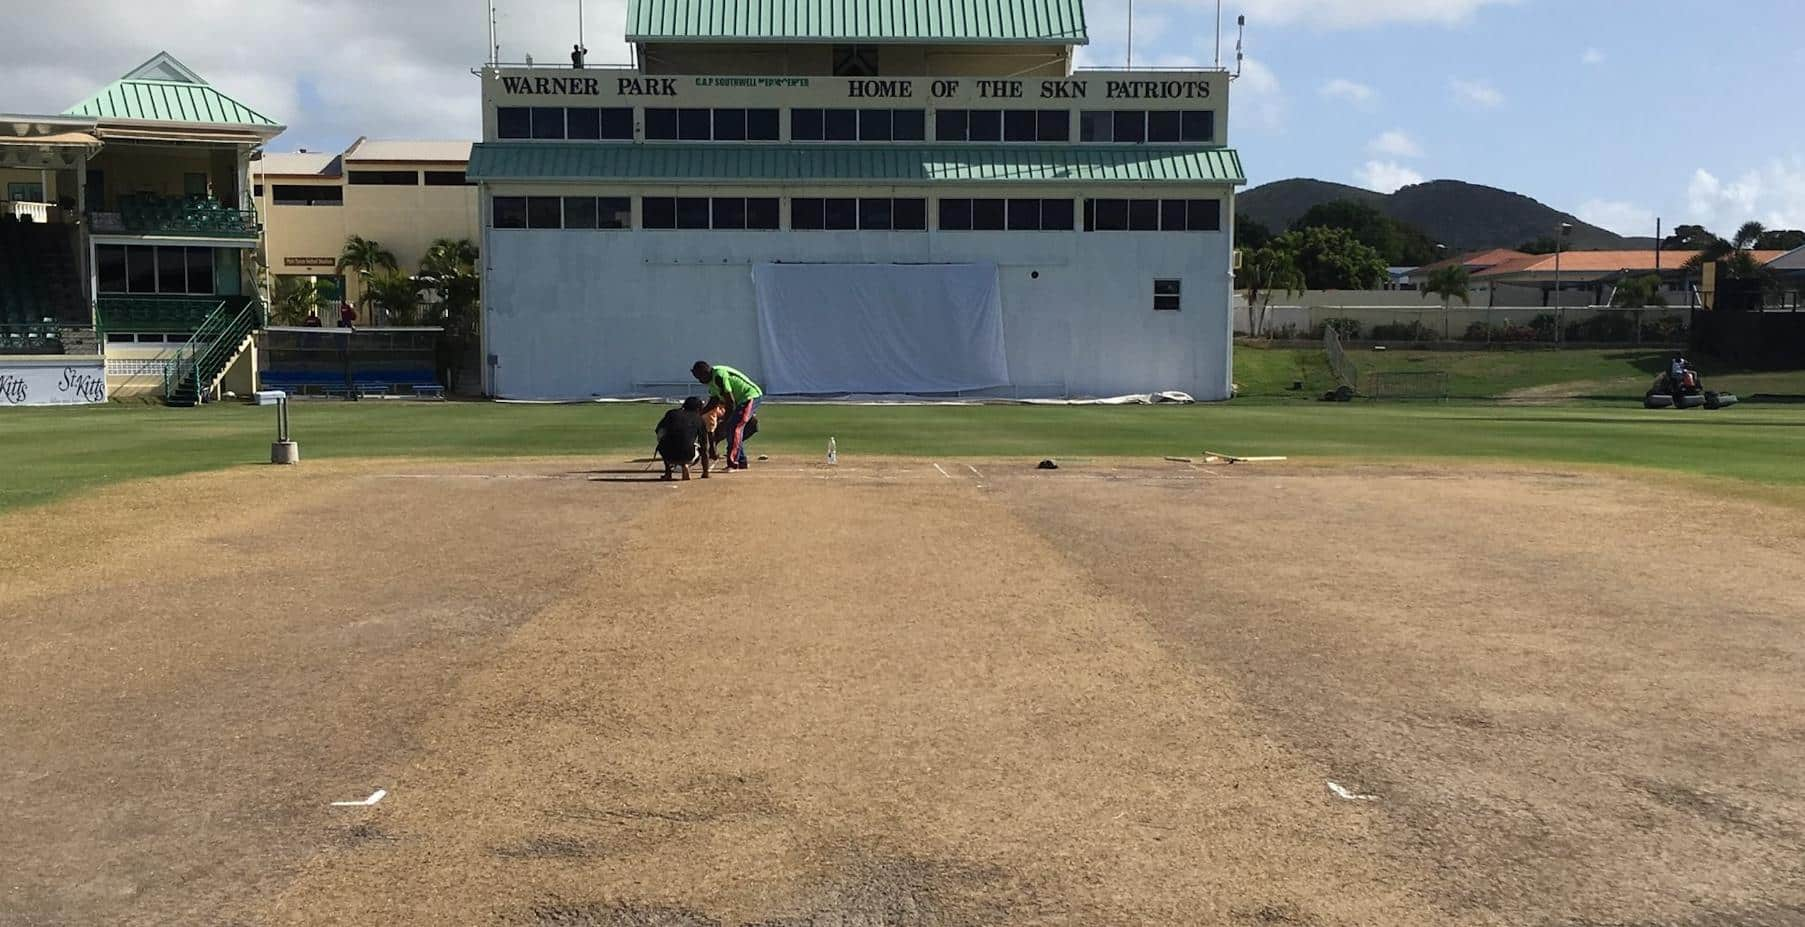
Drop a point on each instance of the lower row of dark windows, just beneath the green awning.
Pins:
(853, 214)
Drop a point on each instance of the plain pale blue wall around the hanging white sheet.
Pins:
(575, 315)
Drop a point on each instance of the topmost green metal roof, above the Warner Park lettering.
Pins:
(1060, 23)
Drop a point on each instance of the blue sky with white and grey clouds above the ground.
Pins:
(1618, 111)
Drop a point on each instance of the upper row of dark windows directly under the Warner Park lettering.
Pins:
(865, 125)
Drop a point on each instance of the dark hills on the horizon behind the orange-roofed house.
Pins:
(1465, 217)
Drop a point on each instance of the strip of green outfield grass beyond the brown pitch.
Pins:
(51, 454)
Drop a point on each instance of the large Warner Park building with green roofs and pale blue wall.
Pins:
(856, 197)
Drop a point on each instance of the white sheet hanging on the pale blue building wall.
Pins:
(833, 329)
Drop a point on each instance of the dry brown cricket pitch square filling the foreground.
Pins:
(902, 695)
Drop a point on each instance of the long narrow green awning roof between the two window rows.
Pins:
(855, 163)
